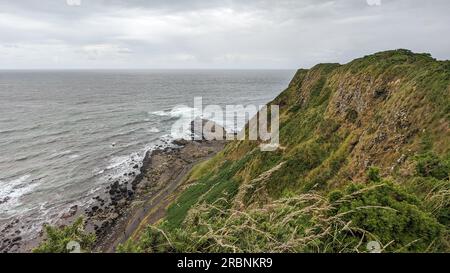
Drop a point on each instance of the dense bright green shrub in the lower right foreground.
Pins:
(386, 213)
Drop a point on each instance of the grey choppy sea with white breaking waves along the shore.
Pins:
(65, 134)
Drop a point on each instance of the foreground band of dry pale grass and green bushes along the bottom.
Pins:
(344, 222)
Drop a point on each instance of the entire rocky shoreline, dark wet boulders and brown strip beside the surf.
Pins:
(114, 215)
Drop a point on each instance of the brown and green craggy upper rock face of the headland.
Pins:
(387, 102)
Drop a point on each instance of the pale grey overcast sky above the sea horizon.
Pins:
(214, 34)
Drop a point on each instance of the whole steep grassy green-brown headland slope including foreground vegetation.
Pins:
(364, 156)
